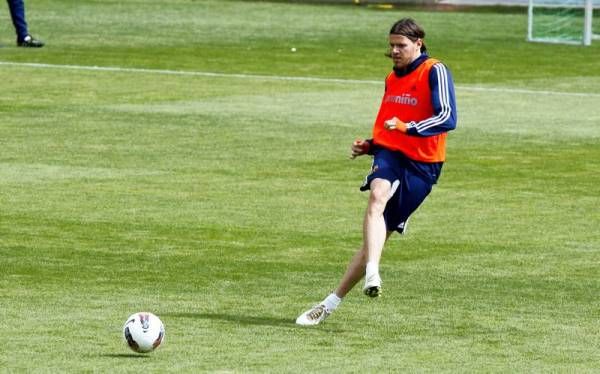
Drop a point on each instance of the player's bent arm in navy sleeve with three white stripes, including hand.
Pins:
(443, 101)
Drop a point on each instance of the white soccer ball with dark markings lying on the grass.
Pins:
(143, 332)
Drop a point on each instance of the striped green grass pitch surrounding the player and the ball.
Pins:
(227, 204)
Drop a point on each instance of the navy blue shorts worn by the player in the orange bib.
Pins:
(409, 187)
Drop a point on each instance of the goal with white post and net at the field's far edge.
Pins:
(562, 21)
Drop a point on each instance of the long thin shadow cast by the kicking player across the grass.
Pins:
(249, 320)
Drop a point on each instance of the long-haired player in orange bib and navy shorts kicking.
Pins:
(409, 148)
